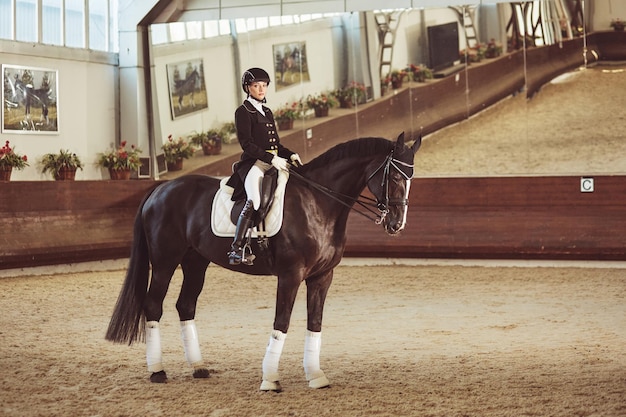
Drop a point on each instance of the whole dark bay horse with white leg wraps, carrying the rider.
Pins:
(172, 228)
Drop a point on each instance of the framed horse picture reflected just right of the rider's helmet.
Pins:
(290, 64)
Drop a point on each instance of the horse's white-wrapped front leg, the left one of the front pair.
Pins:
(285, 298)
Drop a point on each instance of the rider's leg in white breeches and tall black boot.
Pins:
(237, 255)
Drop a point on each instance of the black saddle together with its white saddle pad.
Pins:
(268, 219)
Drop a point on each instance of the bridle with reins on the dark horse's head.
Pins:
(367, 203)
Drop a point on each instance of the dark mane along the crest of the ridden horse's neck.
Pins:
(353, 148)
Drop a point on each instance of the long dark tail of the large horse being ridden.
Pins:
(128, 323)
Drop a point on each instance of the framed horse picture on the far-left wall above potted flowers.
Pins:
(30, 97)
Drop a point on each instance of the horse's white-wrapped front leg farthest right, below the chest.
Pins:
(317, 289)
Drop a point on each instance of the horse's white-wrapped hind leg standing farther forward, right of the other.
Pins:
(194, 268)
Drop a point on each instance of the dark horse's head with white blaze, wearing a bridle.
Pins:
(390, 184)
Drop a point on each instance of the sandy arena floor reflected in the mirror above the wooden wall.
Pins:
(568, 128)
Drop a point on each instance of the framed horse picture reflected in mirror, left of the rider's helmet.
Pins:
(187, 87)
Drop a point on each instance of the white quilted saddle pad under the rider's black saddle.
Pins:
(221, 224)
